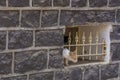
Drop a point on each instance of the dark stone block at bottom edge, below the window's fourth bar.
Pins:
(91, 73)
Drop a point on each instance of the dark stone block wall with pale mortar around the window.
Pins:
(31, 38)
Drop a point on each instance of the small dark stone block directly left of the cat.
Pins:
(55, 58)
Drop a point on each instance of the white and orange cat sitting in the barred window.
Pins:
(69, 56)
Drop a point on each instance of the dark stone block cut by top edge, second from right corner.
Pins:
(97, 3)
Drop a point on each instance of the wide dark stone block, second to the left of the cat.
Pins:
(30, 60)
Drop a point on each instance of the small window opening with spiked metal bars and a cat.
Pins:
(87, 44)
